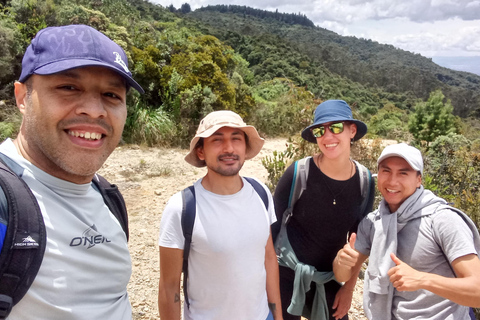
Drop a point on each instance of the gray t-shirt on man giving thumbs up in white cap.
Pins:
(423, 244)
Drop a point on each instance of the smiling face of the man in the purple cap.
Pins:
(72, 121)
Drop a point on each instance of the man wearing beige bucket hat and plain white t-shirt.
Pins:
(232, 265)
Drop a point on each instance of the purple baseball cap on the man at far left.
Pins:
(56, 49)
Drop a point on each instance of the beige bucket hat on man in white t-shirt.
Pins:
(216, 120)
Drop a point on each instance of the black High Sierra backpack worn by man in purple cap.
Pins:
(25, 237)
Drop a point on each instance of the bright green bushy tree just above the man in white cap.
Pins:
(432, 119)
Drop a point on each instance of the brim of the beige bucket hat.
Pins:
(255, 143)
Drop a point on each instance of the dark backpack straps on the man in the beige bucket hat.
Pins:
(188, 219)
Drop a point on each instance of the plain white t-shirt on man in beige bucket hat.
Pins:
(226, 265)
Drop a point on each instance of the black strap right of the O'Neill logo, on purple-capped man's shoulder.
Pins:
(113, 199)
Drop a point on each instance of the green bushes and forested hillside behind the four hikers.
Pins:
(273, 69)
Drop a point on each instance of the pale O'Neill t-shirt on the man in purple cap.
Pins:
(86, 266)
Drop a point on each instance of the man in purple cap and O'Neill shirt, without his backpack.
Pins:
(72, 94)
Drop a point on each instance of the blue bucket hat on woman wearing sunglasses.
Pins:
(333, 111)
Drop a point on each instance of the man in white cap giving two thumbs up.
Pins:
(423, 253)
